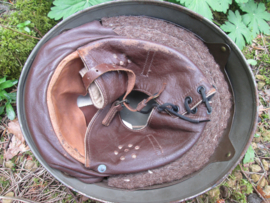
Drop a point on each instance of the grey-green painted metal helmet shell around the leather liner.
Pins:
(239, 73)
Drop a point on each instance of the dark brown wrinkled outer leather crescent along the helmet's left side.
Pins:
(36, 110)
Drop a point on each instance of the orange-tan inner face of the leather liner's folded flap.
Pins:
(68, 120)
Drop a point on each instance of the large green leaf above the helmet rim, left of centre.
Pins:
(65, 8)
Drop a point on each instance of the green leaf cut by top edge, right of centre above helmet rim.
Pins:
(203, 6)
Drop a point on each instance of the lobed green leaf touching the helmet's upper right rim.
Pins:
(237, 30)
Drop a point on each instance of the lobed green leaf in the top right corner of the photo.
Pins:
(256, 18)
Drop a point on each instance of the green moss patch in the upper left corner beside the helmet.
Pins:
(15, 47)
